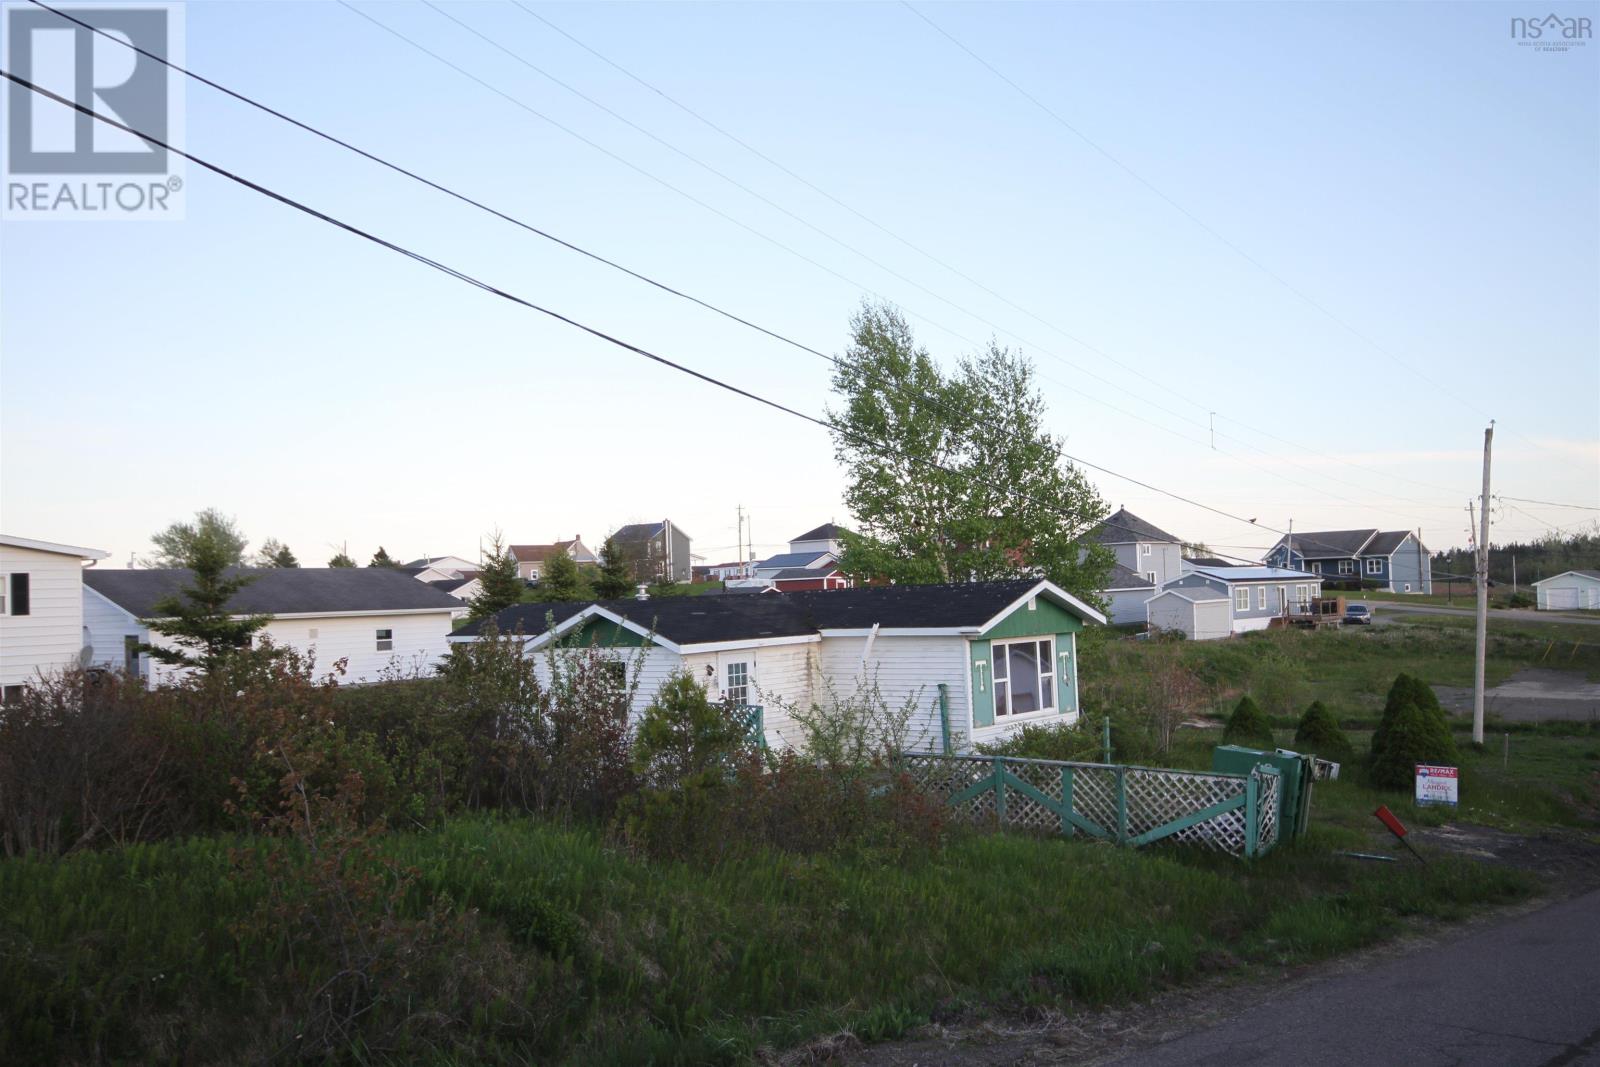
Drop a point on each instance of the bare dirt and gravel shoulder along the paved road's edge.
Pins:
(1569, 865)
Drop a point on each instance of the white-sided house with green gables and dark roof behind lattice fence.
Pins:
(993, 655)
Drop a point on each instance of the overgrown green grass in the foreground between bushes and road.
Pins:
(150, 954)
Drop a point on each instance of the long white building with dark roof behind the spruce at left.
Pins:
(367, 617)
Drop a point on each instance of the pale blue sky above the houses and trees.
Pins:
(1281, 260)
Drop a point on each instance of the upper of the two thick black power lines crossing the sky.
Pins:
(596, 257)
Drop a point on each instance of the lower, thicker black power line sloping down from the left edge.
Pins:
(521, 302)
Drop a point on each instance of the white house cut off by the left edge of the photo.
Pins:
(41, 610)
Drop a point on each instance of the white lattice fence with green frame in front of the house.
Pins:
(1129, 805)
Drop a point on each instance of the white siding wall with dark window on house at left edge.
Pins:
(50, 636)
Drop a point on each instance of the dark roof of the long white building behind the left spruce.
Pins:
(279, 591)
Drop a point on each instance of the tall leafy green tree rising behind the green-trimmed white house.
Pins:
(954, 474)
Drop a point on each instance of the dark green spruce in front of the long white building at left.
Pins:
(199, 621)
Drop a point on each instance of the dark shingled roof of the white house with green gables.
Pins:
(700, 620)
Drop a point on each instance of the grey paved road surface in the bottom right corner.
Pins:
(1521, 994)
